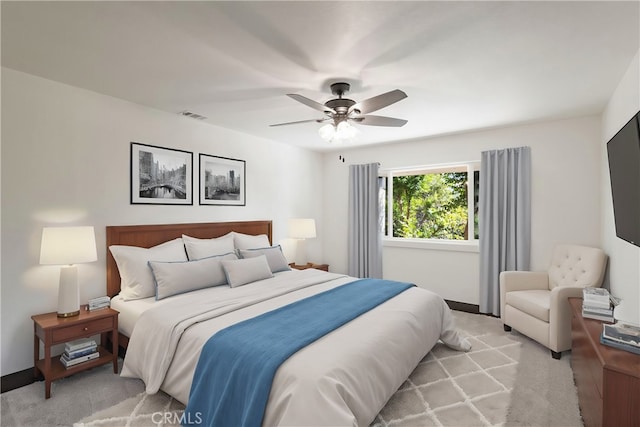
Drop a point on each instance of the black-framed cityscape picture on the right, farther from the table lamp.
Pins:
(222, 181)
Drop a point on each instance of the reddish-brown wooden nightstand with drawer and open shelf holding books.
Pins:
(52, 330)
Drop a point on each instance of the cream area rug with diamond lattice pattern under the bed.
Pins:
(506, 379)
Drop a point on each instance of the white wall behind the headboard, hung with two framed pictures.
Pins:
(65, 160)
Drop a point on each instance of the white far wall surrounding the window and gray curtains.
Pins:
(566, 159)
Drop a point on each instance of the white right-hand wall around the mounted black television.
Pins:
(624, 261)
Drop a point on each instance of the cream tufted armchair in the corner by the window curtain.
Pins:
(535, 303)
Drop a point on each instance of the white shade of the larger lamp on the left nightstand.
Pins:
(68, 245)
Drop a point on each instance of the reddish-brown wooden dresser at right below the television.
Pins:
(608, 379)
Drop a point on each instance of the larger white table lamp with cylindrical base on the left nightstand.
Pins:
(68, 246)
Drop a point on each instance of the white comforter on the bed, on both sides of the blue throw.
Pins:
(344, 378)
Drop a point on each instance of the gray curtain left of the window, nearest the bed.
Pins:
(364, 236)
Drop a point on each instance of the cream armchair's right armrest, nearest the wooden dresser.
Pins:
(560, 316)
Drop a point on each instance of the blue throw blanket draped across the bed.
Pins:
(232, 381)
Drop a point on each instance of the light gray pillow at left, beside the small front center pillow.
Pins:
(174, 278)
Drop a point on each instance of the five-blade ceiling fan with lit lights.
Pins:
(339, 111)
